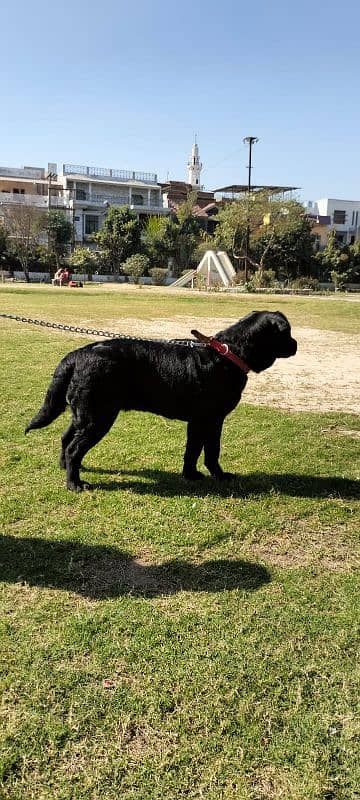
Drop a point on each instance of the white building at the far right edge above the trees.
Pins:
(343, 216)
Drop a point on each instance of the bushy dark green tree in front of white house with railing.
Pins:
(119, 237)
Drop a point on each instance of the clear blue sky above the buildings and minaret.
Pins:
(128, 84)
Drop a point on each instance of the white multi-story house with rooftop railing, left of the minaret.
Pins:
(94, 189)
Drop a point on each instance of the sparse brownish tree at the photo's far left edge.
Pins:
(24, 227)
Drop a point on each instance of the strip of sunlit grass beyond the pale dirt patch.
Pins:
(102, 303)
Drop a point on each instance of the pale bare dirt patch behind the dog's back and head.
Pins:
(323, 376)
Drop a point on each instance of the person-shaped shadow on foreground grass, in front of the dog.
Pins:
(99, 572)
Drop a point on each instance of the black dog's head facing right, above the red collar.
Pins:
(262, 336)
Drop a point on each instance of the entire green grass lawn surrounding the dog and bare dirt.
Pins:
(162, 641)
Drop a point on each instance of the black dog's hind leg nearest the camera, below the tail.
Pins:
(86, 436)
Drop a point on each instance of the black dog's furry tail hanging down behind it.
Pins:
(55, 399)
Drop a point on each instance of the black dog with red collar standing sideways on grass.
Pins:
(180, 380)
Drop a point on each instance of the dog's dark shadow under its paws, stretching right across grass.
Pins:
(169, 484)
